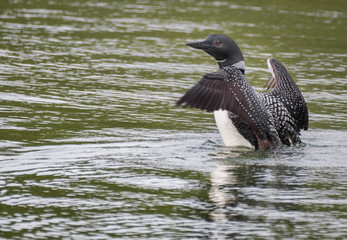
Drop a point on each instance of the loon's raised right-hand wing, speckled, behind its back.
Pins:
(283, 86)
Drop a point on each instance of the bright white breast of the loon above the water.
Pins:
(231, 137)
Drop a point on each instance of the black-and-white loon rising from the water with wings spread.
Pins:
(243, 116)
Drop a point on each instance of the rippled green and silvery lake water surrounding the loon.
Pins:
(92, 146)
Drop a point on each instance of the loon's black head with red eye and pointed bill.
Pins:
(221, 47)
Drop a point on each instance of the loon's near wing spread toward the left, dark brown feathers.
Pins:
(231, 91)
